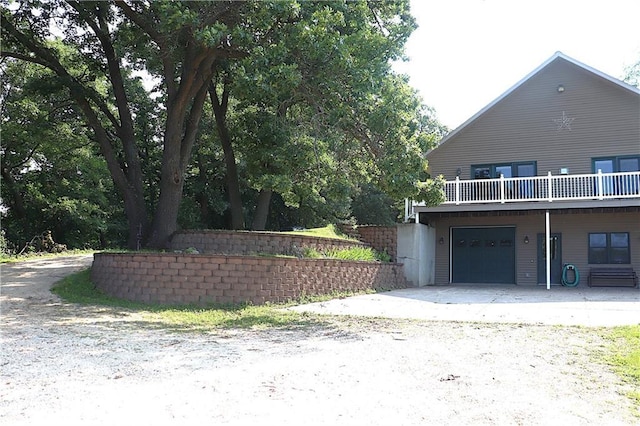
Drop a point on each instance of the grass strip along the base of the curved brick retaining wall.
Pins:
(78, 288)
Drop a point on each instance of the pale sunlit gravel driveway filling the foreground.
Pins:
(67, 364)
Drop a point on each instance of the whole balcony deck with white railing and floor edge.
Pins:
(540, 192)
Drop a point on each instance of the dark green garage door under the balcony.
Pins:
(483, 255)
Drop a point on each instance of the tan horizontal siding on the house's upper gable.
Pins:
(521, 128)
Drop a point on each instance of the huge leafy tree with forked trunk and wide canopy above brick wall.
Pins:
(314, 74)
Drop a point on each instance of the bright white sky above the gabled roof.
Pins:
(466, 53)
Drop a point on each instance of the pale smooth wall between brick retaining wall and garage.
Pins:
(416, 251)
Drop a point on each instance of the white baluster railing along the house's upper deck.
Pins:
(594, 186)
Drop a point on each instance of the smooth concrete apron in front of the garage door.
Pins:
(591, 307)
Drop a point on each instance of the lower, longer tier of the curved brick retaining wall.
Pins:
(205, 278)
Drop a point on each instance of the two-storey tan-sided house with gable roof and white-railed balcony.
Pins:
(545, 176)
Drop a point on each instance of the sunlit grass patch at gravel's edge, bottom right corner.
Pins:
(623, 354)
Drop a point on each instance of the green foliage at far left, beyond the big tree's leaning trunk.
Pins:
(52, 179)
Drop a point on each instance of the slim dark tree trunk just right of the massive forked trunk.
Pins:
(233, 183)
